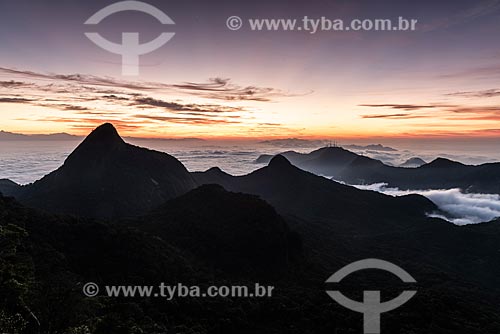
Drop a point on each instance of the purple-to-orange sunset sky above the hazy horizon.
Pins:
(440, 81)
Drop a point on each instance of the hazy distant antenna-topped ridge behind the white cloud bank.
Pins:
(352, 168)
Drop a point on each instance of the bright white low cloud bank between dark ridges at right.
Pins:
(458, 207)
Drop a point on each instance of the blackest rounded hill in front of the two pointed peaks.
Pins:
(237, 233)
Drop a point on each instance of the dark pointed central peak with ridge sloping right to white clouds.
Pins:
(303, 194)
